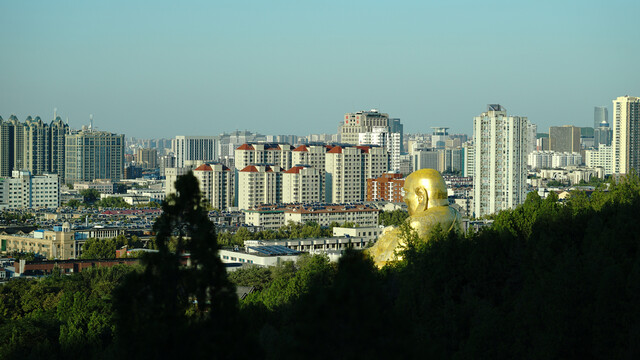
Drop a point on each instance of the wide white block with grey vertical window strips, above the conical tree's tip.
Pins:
(191, 149)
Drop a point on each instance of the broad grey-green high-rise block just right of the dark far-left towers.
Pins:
(91, 155)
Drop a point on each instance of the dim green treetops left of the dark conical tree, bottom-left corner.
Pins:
(60, 317)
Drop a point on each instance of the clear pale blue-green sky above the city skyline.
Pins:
(152, 69)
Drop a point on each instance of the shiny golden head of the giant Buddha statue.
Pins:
(424, 189)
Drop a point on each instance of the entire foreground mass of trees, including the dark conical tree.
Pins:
(547, 280)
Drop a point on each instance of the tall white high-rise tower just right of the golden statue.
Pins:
(501, 144)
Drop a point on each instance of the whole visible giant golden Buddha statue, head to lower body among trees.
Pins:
(426, 198)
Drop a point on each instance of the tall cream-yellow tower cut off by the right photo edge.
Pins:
(625, 142)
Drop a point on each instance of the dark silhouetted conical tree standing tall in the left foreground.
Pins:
(182, 304)
